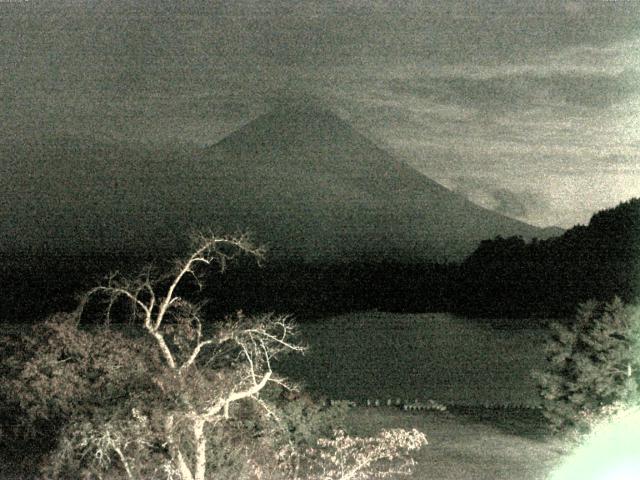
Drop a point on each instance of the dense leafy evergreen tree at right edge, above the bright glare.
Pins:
(592, 364)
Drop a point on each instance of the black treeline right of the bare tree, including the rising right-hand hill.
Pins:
(503, 277)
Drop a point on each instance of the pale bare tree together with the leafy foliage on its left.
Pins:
(198, 374)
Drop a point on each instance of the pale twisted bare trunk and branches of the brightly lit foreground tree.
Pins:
(254, 342)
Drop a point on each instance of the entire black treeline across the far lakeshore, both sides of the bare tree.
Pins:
(503, 277)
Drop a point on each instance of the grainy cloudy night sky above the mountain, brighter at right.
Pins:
(530, 108)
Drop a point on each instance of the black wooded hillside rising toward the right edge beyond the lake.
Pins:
(509, 277)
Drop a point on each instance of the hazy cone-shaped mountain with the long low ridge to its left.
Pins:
(300, 178)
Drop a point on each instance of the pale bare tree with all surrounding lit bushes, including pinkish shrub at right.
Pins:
(161, 399)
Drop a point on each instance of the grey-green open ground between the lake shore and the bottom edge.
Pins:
(463, 444)
